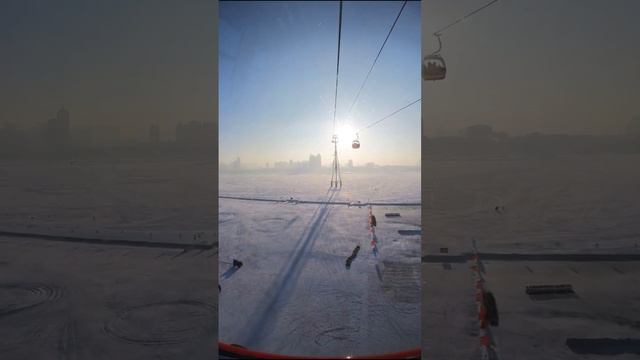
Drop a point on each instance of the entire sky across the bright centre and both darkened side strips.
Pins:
(521, 66)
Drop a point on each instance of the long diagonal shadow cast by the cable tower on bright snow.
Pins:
(263, 318)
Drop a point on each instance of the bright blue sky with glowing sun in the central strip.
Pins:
(277, 80)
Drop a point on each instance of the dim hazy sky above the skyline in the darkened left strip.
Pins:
(121, 62)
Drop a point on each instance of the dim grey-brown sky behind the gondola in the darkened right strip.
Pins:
(566, 66)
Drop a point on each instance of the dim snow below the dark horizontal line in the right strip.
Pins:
(605, 306)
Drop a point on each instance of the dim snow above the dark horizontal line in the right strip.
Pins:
(565, 204)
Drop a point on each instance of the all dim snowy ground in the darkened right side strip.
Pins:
(562, 205)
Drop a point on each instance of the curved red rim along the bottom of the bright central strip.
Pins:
(244, 353)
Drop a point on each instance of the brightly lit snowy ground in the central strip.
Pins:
(294, 294)
